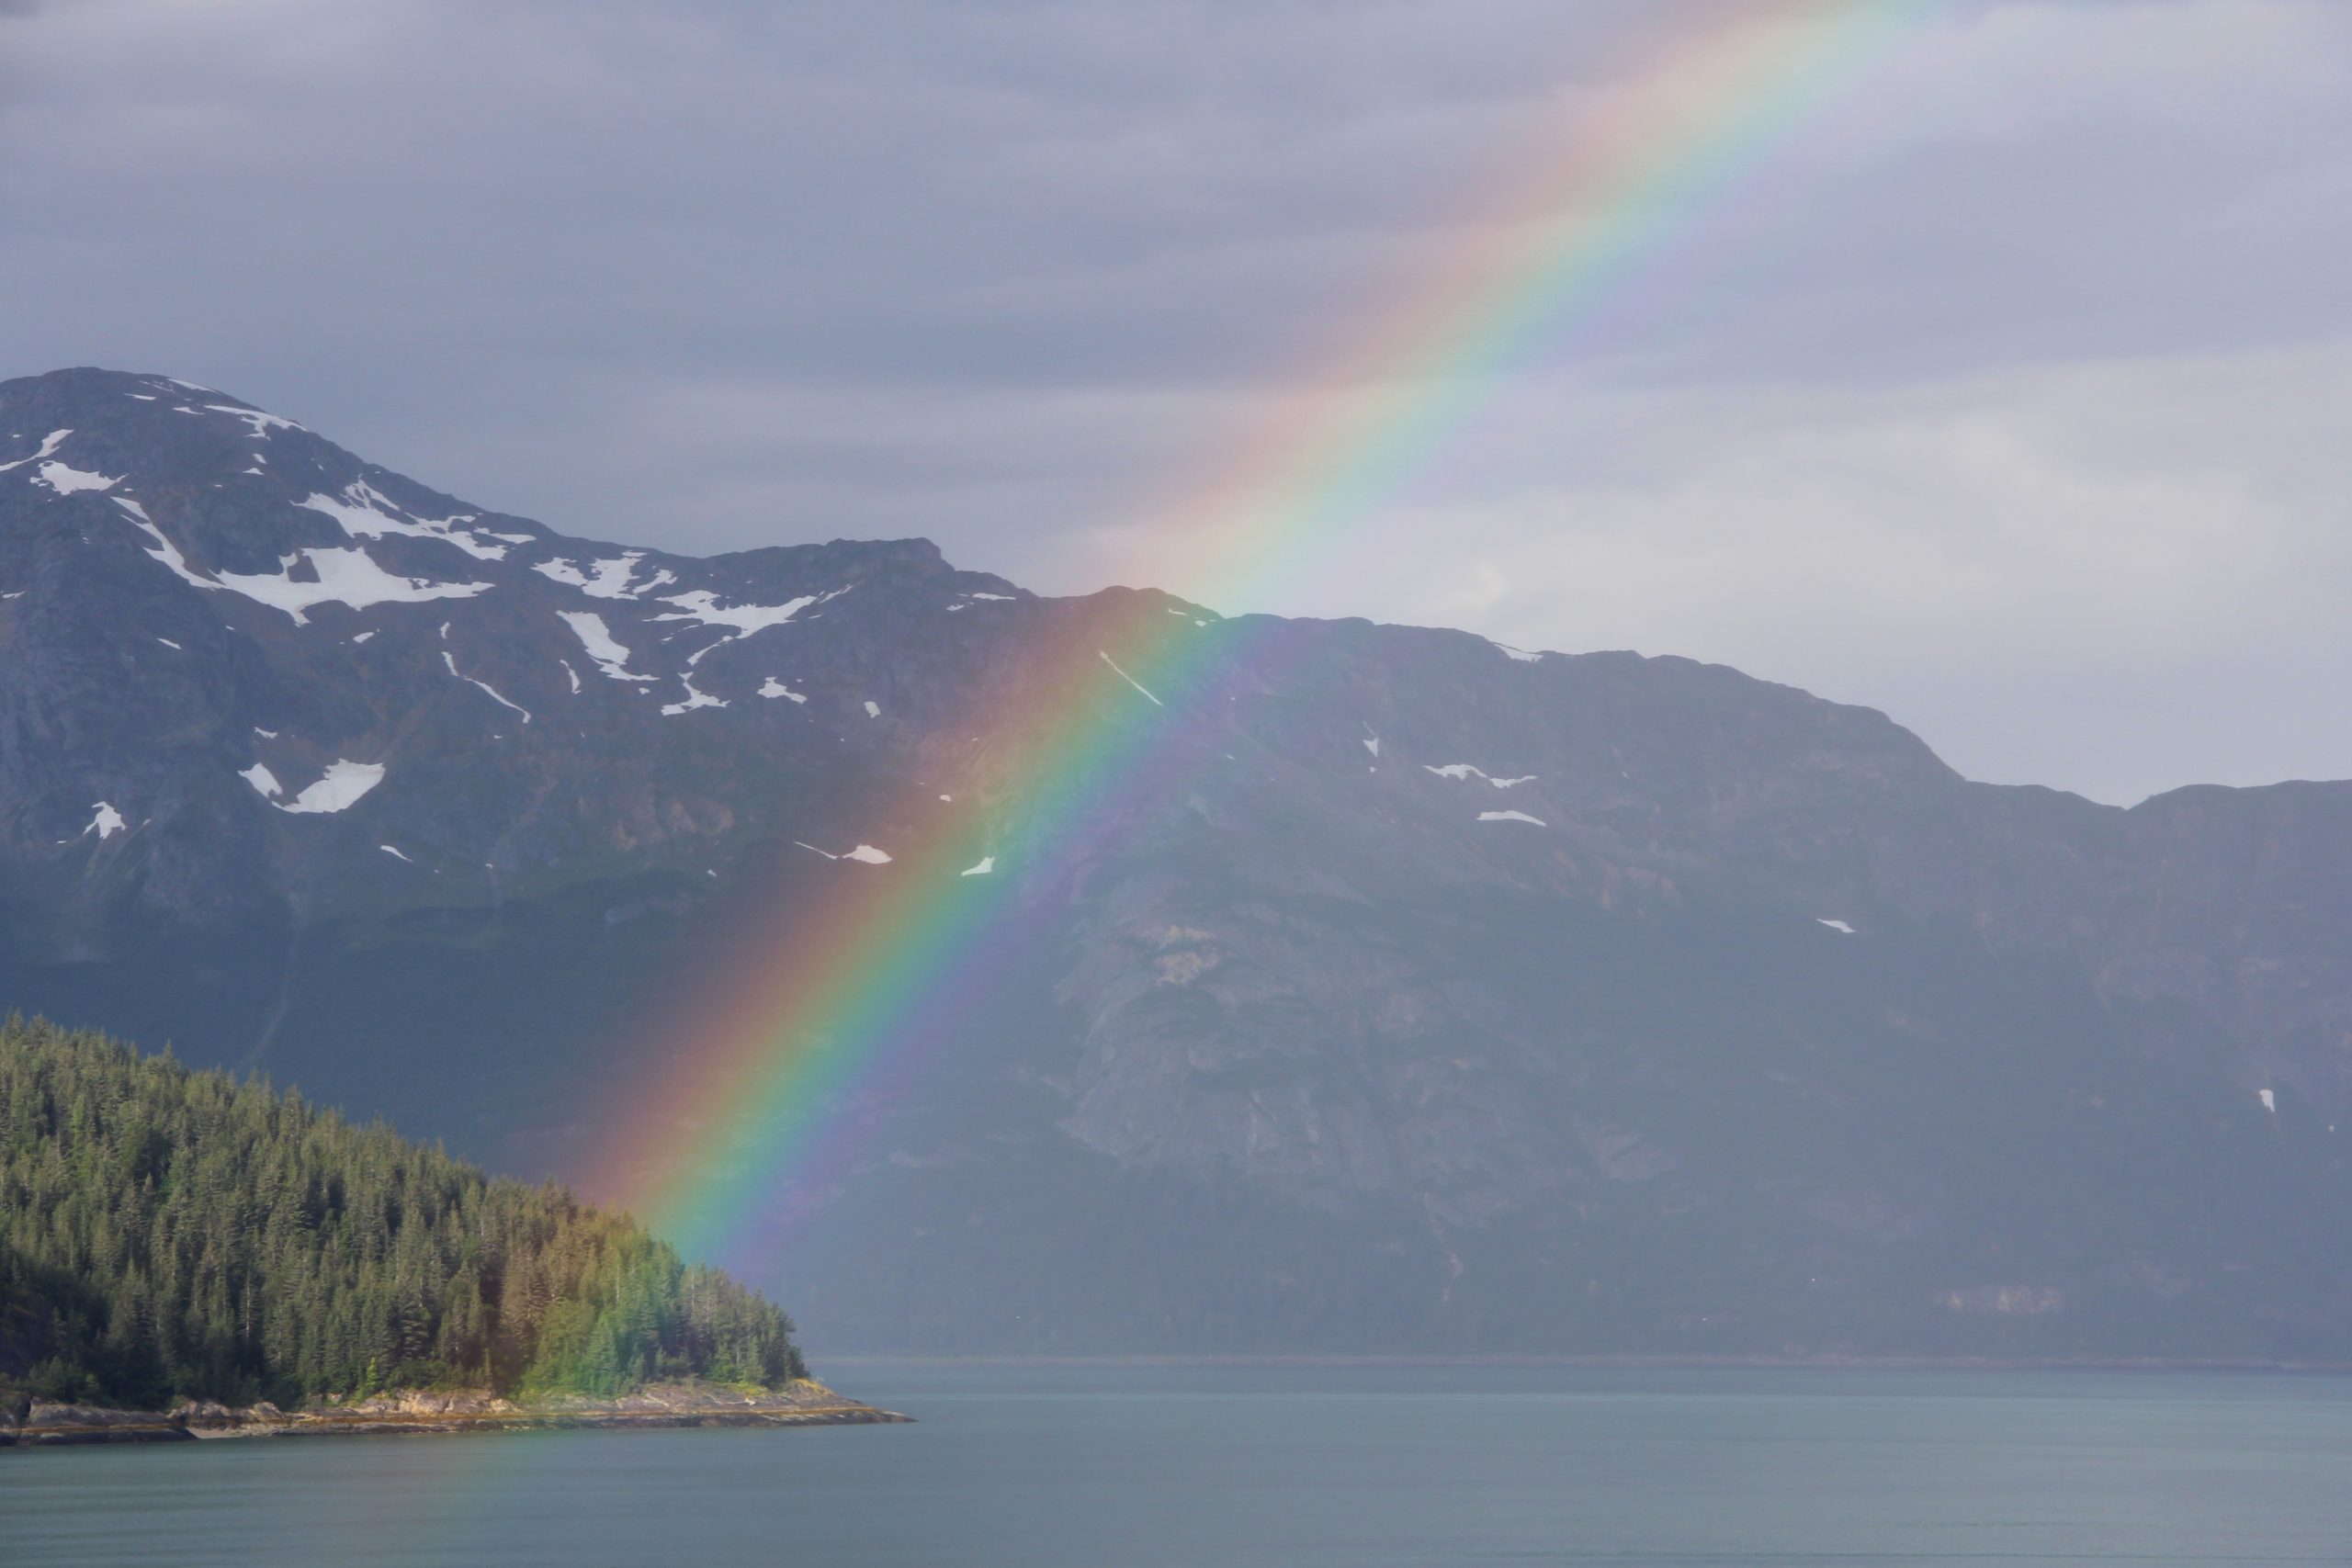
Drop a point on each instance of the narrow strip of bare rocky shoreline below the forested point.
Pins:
(667, 1405)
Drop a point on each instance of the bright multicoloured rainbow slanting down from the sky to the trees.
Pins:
(744, 1108)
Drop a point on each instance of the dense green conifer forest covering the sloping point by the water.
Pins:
(171, 1233)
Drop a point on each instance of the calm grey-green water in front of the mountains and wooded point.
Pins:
(1321, 1466)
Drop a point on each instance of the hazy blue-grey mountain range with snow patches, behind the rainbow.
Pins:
(1434, 996)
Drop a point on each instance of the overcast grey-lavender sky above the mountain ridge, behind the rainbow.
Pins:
(2005, 394)
